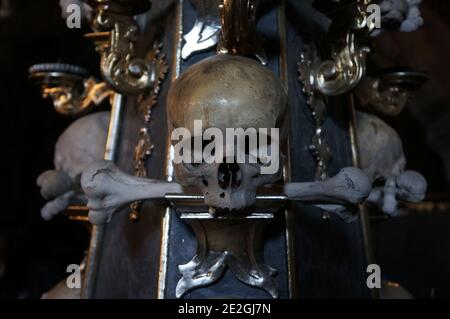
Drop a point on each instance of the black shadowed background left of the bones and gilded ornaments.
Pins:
(36, 252)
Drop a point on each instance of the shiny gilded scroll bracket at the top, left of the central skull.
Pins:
(116, 35)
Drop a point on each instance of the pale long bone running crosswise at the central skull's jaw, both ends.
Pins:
(107, 189)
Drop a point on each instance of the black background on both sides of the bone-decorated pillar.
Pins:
(412, 250)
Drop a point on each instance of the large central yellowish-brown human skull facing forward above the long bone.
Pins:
(223, 92)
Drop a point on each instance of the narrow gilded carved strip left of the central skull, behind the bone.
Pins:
(146, 102)
